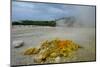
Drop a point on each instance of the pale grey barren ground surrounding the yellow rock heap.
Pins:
(34, 35)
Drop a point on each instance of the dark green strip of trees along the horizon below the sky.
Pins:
(30, 22)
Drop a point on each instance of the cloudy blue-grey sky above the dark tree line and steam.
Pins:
(45, 11)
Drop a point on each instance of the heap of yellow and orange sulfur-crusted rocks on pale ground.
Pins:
(52, 51)
